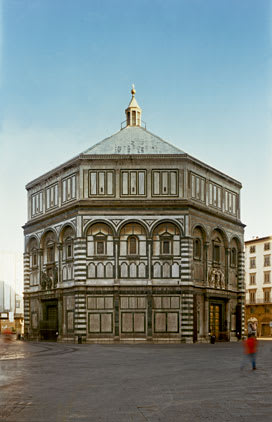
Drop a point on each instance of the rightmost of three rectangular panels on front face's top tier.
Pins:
(165, 182)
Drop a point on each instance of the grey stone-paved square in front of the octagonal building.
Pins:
(187, 383)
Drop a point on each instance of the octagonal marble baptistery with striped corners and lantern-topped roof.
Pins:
(133, 240)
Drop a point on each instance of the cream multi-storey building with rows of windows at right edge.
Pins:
(258, 278)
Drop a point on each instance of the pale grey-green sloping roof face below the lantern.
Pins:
(133, 140)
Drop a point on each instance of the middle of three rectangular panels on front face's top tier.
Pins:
(133, 182)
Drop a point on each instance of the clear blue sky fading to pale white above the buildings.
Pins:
(202, 74)
